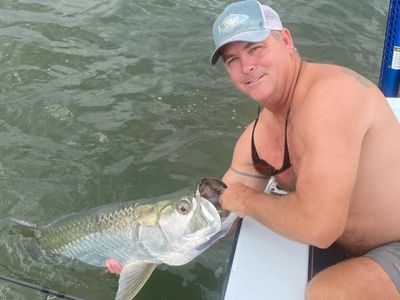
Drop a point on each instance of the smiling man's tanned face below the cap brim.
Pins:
(256, 68)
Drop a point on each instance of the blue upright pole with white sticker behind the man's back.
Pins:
(390, 68)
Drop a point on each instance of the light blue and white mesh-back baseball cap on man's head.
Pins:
(245, 21)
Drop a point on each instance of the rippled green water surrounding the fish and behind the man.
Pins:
(106, 101)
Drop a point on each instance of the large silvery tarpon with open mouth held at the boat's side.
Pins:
(140, 234)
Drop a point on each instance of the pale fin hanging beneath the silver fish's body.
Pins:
(132, 278)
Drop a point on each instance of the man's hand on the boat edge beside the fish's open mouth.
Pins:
(234, 198)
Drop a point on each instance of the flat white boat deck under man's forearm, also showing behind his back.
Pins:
(268, 266)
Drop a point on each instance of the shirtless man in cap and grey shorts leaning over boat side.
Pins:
(330, 139)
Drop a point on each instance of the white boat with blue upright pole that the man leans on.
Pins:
(265, 265)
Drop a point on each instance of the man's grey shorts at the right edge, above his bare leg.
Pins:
(388, 256)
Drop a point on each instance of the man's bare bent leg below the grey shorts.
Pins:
(358, 278)
